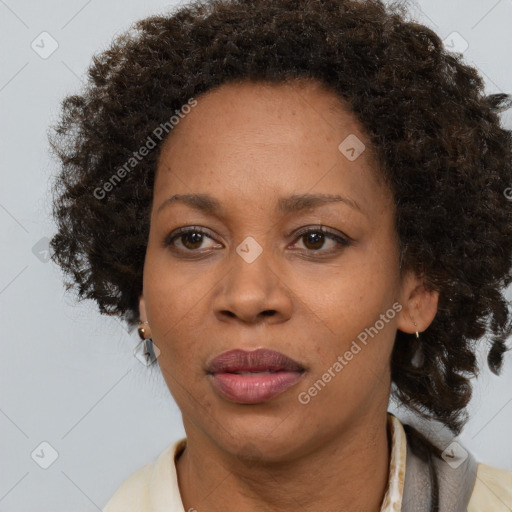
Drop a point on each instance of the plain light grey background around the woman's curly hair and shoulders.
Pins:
(68, 375)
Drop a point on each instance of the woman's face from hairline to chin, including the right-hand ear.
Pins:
(257, 272)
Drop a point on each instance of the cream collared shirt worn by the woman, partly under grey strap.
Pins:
(154, 487)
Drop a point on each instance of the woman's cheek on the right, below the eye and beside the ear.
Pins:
(347, 304)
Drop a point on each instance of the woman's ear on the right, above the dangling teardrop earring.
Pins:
(419, 305)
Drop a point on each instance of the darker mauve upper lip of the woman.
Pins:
(258, 360)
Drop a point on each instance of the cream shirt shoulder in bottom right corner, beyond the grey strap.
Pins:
(492, 491)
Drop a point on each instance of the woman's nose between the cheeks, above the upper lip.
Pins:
(253, 292)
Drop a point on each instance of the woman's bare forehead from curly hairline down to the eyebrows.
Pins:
(260, 137)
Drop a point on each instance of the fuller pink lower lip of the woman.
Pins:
(254, 388)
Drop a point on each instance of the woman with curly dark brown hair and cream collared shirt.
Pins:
(302, 204)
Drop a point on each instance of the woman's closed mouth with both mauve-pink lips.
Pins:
(253, 377)
